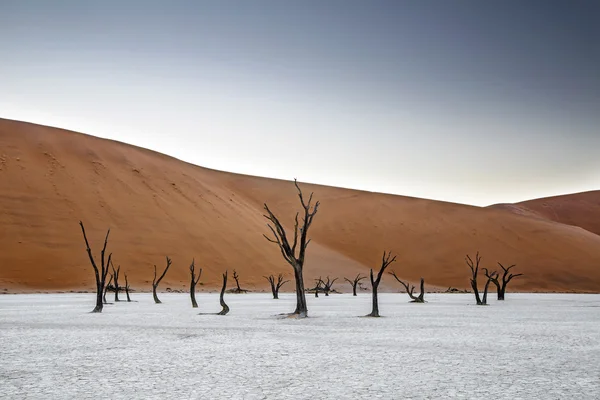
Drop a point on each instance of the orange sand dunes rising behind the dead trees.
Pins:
(159, 206)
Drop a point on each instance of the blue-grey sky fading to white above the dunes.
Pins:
(475, 102)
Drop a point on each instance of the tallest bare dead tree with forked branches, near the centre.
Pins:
(289, 251)
